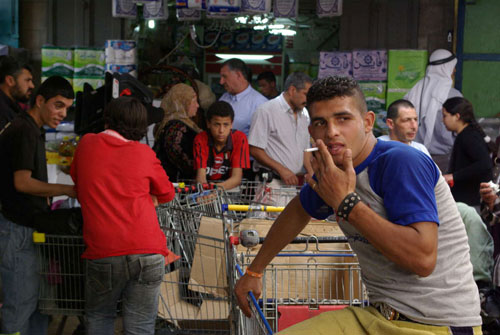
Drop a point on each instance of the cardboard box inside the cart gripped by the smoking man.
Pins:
(309, 276)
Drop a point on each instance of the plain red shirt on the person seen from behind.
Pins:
(114, 178)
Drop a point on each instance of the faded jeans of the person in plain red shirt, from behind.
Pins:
(135, 279)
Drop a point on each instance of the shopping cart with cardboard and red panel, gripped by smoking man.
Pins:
(310, 276)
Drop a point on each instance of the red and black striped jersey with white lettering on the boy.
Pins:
(235, 154)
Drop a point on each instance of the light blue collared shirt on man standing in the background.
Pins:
(244, 105)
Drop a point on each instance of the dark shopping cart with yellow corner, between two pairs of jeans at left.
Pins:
(62, 273)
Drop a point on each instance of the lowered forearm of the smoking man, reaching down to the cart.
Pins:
(286, 227)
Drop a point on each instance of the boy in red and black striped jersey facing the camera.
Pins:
(221, 153)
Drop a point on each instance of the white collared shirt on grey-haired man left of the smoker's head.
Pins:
(275, 130)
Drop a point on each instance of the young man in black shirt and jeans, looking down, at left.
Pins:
(23, 196)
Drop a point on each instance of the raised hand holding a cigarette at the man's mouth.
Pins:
(333, 183)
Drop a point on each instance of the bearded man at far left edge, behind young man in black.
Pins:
(16, 85)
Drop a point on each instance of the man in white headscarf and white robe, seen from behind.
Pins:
(428, 96)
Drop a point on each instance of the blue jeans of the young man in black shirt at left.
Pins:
(20, 279)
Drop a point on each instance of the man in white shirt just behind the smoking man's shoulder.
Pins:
(402, 121)
